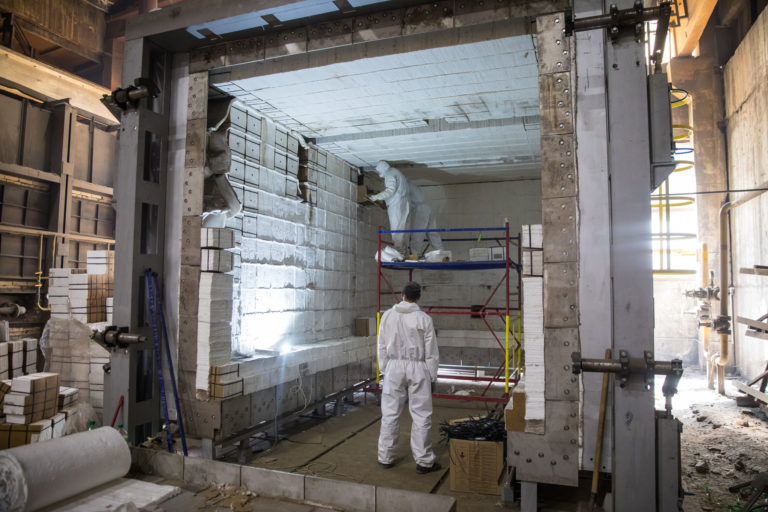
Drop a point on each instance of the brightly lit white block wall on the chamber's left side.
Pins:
(305, 267)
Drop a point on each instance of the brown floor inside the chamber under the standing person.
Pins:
(344, 448)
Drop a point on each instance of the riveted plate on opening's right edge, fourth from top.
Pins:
(560, 229)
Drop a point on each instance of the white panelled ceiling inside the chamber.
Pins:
(463, 113)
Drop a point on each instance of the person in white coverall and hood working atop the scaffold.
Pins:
(407, 209)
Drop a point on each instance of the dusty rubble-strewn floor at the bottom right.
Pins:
(722, 444)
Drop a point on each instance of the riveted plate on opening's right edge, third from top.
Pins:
(558, 176)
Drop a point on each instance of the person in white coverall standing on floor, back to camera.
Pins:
(408, 358)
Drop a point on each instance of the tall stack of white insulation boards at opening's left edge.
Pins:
(214, 316)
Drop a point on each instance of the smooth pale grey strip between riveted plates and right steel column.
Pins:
(594, 218)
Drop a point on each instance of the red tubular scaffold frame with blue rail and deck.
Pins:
(484, 311)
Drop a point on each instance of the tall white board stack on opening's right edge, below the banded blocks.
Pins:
(533, 343)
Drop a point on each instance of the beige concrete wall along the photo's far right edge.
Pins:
(746, 105)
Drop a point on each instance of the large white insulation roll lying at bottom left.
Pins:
(40, 474)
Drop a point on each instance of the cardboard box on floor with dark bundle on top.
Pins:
(476, 466)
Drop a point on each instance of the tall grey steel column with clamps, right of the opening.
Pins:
(634, 464)
